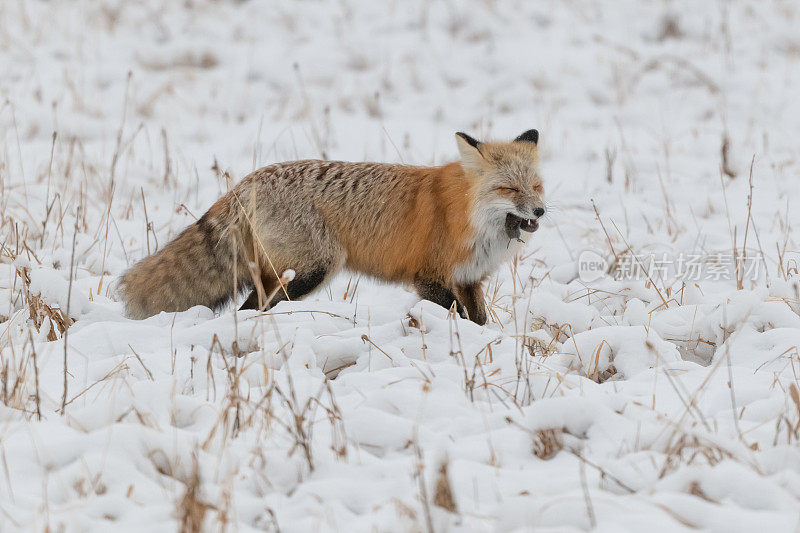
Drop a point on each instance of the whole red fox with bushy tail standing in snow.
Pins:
(442, 229)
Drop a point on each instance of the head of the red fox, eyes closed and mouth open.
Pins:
(509, 192)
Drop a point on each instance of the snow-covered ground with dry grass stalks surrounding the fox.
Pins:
(631, 376)
